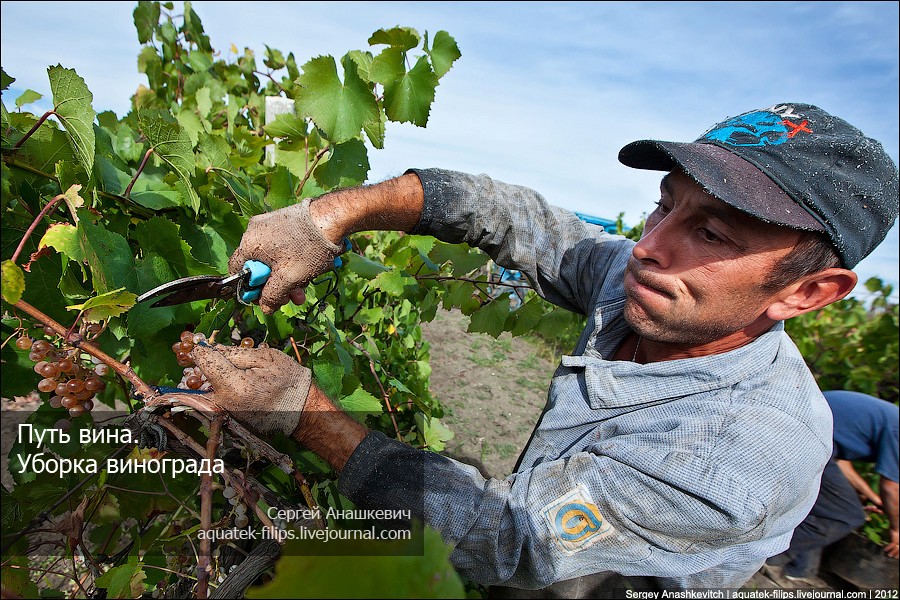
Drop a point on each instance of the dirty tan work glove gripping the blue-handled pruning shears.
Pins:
(292, 245)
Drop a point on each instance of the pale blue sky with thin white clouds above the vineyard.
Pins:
(546, 93)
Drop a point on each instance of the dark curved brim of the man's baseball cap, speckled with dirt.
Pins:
(726, 176)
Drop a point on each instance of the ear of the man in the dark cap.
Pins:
(812, 292)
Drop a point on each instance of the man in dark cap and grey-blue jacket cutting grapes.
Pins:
(684, 438)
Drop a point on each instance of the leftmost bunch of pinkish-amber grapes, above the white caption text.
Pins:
(71, 378)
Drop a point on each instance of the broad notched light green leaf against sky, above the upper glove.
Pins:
(339, 109)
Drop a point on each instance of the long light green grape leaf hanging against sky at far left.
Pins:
(72, 105)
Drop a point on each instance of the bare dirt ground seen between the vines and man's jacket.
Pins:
(492, 389)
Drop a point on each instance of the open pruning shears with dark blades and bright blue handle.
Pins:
(245, 286)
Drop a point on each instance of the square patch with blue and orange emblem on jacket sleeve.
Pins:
(575, 521)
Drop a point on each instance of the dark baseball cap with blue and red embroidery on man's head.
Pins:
(794, 165)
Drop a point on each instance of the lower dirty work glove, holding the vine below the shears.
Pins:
(263, 387)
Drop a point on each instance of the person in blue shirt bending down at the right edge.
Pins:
(865, 429)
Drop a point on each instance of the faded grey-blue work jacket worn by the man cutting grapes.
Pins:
(690, 472)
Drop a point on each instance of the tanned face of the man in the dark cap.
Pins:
(695, 277)
